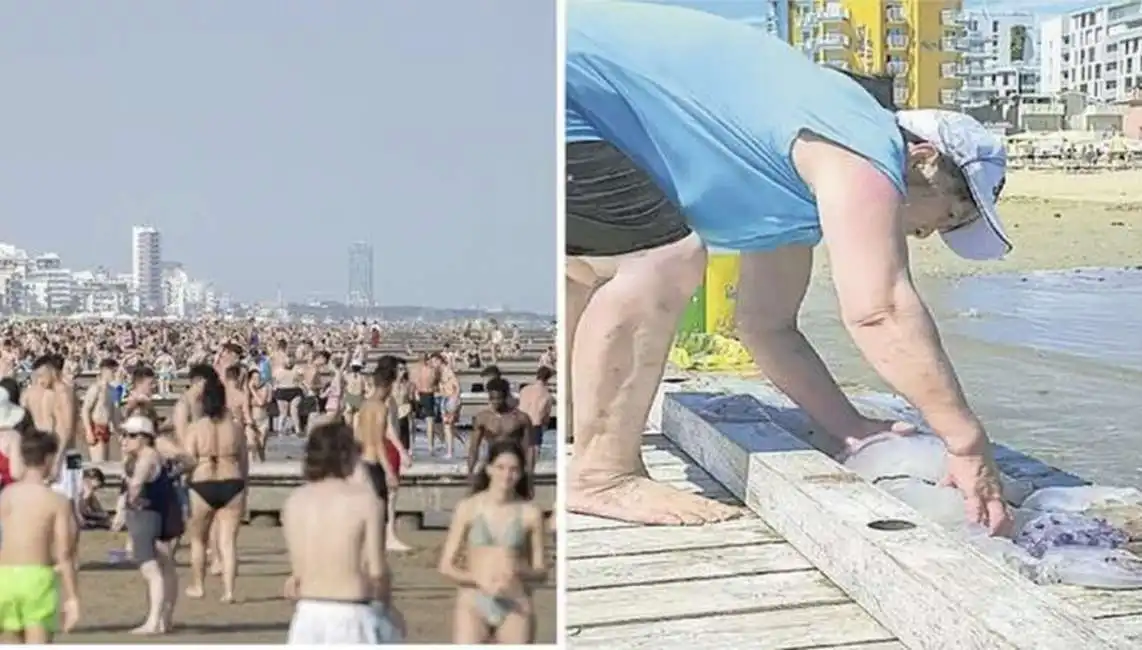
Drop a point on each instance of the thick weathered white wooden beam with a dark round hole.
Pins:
(927, 588)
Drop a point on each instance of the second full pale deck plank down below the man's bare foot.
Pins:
(658, 568)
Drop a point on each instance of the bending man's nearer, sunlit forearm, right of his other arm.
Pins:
(905, 349)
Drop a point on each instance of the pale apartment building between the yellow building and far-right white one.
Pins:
(1002, 57)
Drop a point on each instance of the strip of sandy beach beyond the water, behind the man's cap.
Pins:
(1057, 221)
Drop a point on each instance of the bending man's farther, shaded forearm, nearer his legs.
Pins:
(786, 357)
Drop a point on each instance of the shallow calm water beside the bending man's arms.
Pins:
(1052, 362)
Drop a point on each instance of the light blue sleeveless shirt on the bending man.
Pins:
(711, 109)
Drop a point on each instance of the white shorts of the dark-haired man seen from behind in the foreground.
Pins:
(341, 623)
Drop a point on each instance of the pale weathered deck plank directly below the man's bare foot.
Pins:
(663, 539)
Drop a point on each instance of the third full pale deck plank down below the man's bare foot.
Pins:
(702, 598)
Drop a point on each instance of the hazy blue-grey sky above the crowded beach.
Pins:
(264, 137)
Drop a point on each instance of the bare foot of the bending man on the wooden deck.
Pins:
(639, 500)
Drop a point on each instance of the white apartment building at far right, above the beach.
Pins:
(1097, 51)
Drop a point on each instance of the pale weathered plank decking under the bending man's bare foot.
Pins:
(730, 585)
